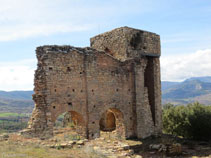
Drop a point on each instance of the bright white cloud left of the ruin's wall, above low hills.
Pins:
(17, 75)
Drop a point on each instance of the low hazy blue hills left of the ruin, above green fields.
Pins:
(16, 101)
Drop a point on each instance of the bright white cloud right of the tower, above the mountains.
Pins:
(180, 67)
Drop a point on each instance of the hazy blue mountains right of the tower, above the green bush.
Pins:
(191, 90)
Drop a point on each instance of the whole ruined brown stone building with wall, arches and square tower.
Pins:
(113, 85)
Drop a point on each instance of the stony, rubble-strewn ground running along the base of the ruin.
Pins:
(109, 146)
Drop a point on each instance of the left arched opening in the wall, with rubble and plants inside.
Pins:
(71, 123)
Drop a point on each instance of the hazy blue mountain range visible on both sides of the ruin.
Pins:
(191, 90)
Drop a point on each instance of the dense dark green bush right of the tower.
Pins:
(191, 121)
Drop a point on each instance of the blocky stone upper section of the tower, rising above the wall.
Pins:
(124, 43)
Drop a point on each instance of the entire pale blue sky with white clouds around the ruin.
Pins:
(184, 27)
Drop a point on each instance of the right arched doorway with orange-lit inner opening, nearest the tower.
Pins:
(112, 122)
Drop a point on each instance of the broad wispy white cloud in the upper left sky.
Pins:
(28, 18)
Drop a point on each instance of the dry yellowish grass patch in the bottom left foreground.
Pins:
(12, 149)
